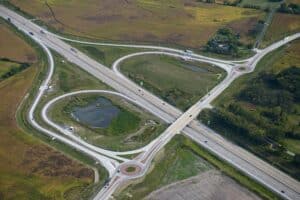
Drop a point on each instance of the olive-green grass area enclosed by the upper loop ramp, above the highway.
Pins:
(179, 82)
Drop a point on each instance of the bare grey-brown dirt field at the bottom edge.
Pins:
(210, 185)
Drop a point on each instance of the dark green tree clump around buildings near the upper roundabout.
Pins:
(226, 42)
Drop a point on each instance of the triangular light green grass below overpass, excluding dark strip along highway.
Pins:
(176, 162)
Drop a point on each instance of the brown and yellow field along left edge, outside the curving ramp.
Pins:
(29, 169)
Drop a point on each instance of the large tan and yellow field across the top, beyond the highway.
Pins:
(185, 23)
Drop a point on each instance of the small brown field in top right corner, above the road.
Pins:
(281, 26)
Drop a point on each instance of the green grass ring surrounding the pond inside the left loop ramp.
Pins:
(132, 128)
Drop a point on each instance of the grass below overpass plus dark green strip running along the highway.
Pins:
(181, 159)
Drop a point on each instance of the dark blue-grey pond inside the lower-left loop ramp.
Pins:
(97, 114)
